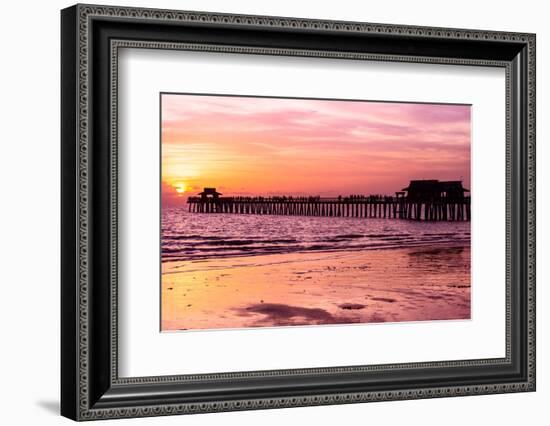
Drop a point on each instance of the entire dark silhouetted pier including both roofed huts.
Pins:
(421, 200)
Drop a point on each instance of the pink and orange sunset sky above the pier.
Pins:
(274, 146)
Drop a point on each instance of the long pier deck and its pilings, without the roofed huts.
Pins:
(385, 207)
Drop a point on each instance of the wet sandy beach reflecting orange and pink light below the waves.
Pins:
(389, 285)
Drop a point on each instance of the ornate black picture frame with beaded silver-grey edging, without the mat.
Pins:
(91, 387)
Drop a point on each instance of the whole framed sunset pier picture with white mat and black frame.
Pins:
(263, 212)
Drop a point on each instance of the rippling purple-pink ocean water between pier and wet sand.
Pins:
(195, 236)
